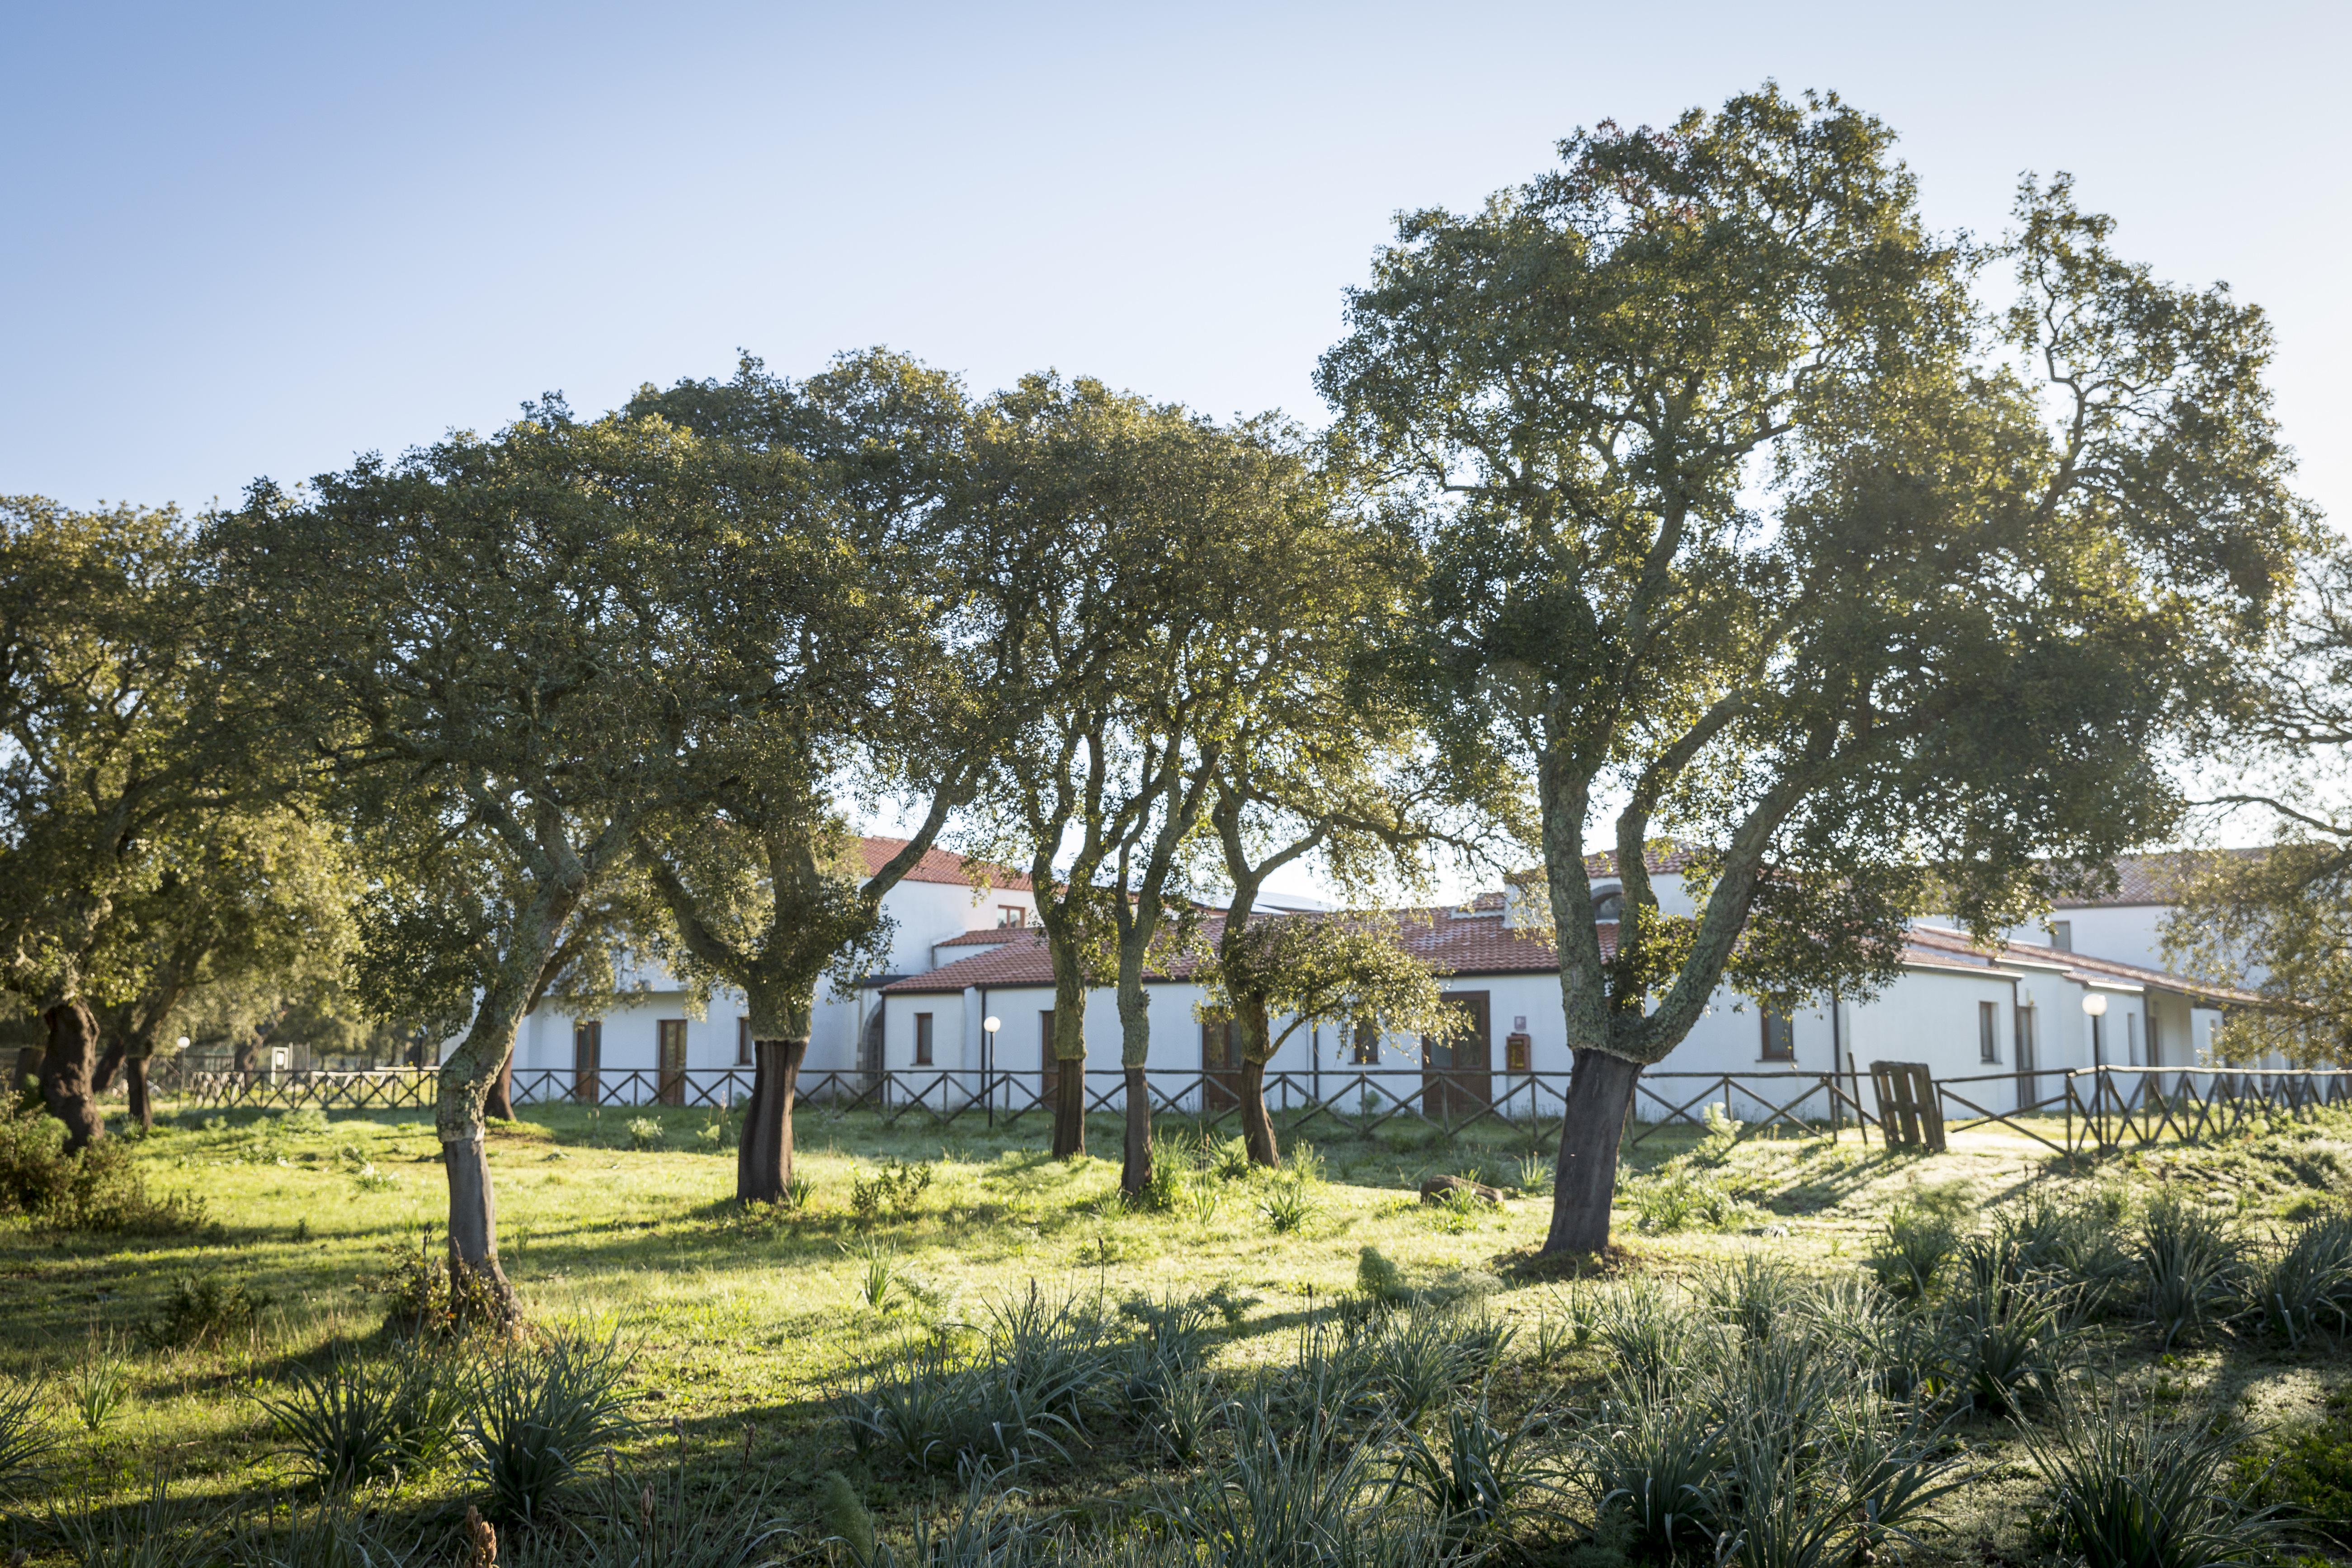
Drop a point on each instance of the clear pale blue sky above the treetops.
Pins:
(246, 241)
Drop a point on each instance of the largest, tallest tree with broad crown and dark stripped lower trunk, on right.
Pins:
(1749, 525)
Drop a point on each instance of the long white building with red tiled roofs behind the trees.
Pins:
(970, 951)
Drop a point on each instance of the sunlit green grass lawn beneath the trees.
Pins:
(744, 1327)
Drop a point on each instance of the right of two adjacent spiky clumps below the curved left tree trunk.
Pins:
(537, 1414)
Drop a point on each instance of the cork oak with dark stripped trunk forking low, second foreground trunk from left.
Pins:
(886, 685)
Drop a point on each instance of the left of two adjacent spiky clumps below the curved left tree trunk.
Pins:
(361, 1421)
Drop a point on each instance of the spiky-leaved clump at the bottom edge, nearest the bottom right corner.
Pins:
(2127, 1494)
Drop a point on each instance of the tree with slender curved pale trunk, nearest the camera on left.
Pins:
(509, 650)
